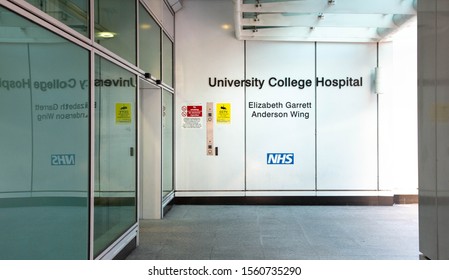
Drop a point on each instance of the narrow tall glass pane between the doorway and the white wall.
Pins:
(167, 143)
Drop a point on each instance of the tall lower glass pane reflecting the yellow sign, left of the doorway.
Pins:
(115, 158)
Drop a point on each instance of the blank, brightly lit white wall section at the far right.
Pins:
(398, 109)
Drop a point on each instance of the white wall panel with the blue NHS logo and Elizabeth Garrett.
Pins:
(267, 60)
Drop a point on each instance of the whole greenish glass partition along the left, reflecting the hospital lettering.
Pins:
(45, 159)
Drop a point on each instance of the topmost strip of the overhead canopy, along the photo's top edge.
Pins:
(340, 6)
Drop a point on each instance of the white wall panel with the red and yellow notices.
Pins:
(200, 24)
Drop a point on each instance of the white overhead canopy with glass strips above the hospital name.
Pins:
(321, 20)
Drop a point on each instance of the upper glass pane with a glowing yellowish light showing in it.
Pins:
(115, 27)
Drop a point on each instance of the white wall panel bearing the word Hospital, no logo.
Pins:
(347, 118)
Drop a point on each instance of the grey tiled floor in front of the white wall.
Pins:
(195, 232)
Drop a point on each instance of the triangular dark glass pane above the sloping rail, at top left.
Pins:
(72, 13)
